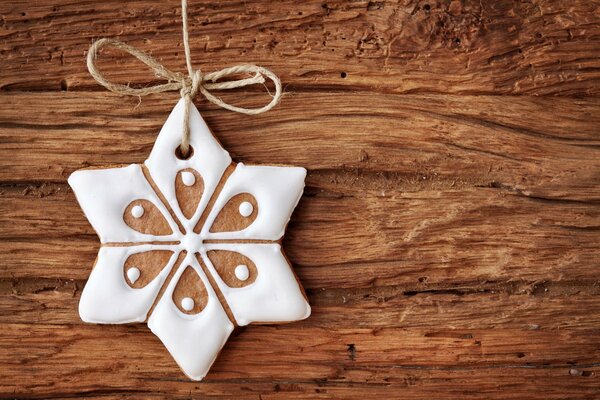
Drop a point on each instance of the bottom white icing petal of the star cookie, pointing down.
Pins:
(194, 341)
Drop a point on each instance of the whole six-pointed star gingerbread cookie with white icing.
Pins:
(192, 243)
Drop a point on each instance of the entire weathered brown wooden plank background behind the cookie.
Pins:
(449, 235)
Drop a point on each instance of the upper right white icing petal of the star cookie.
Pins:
(276, 191)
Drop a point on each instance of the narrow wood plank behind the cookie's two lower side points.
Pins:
(548, 307)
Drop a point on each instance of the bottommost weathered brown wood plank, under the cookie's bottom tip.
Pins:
(130, 359)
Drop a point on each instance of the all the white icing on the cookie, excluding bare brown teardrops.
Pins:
(193, 340)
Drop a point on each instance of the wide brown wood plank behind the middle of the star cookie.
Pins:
(397, 238)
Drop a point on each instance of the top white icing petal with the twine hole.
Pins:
(209, 159)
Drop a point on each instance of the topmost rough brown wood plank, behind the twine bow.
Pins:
(540, 47)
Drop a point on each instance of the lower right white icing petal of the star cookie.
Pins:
(275, 295)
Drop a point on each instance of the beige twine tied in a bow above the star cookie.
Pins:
(189, 85)
